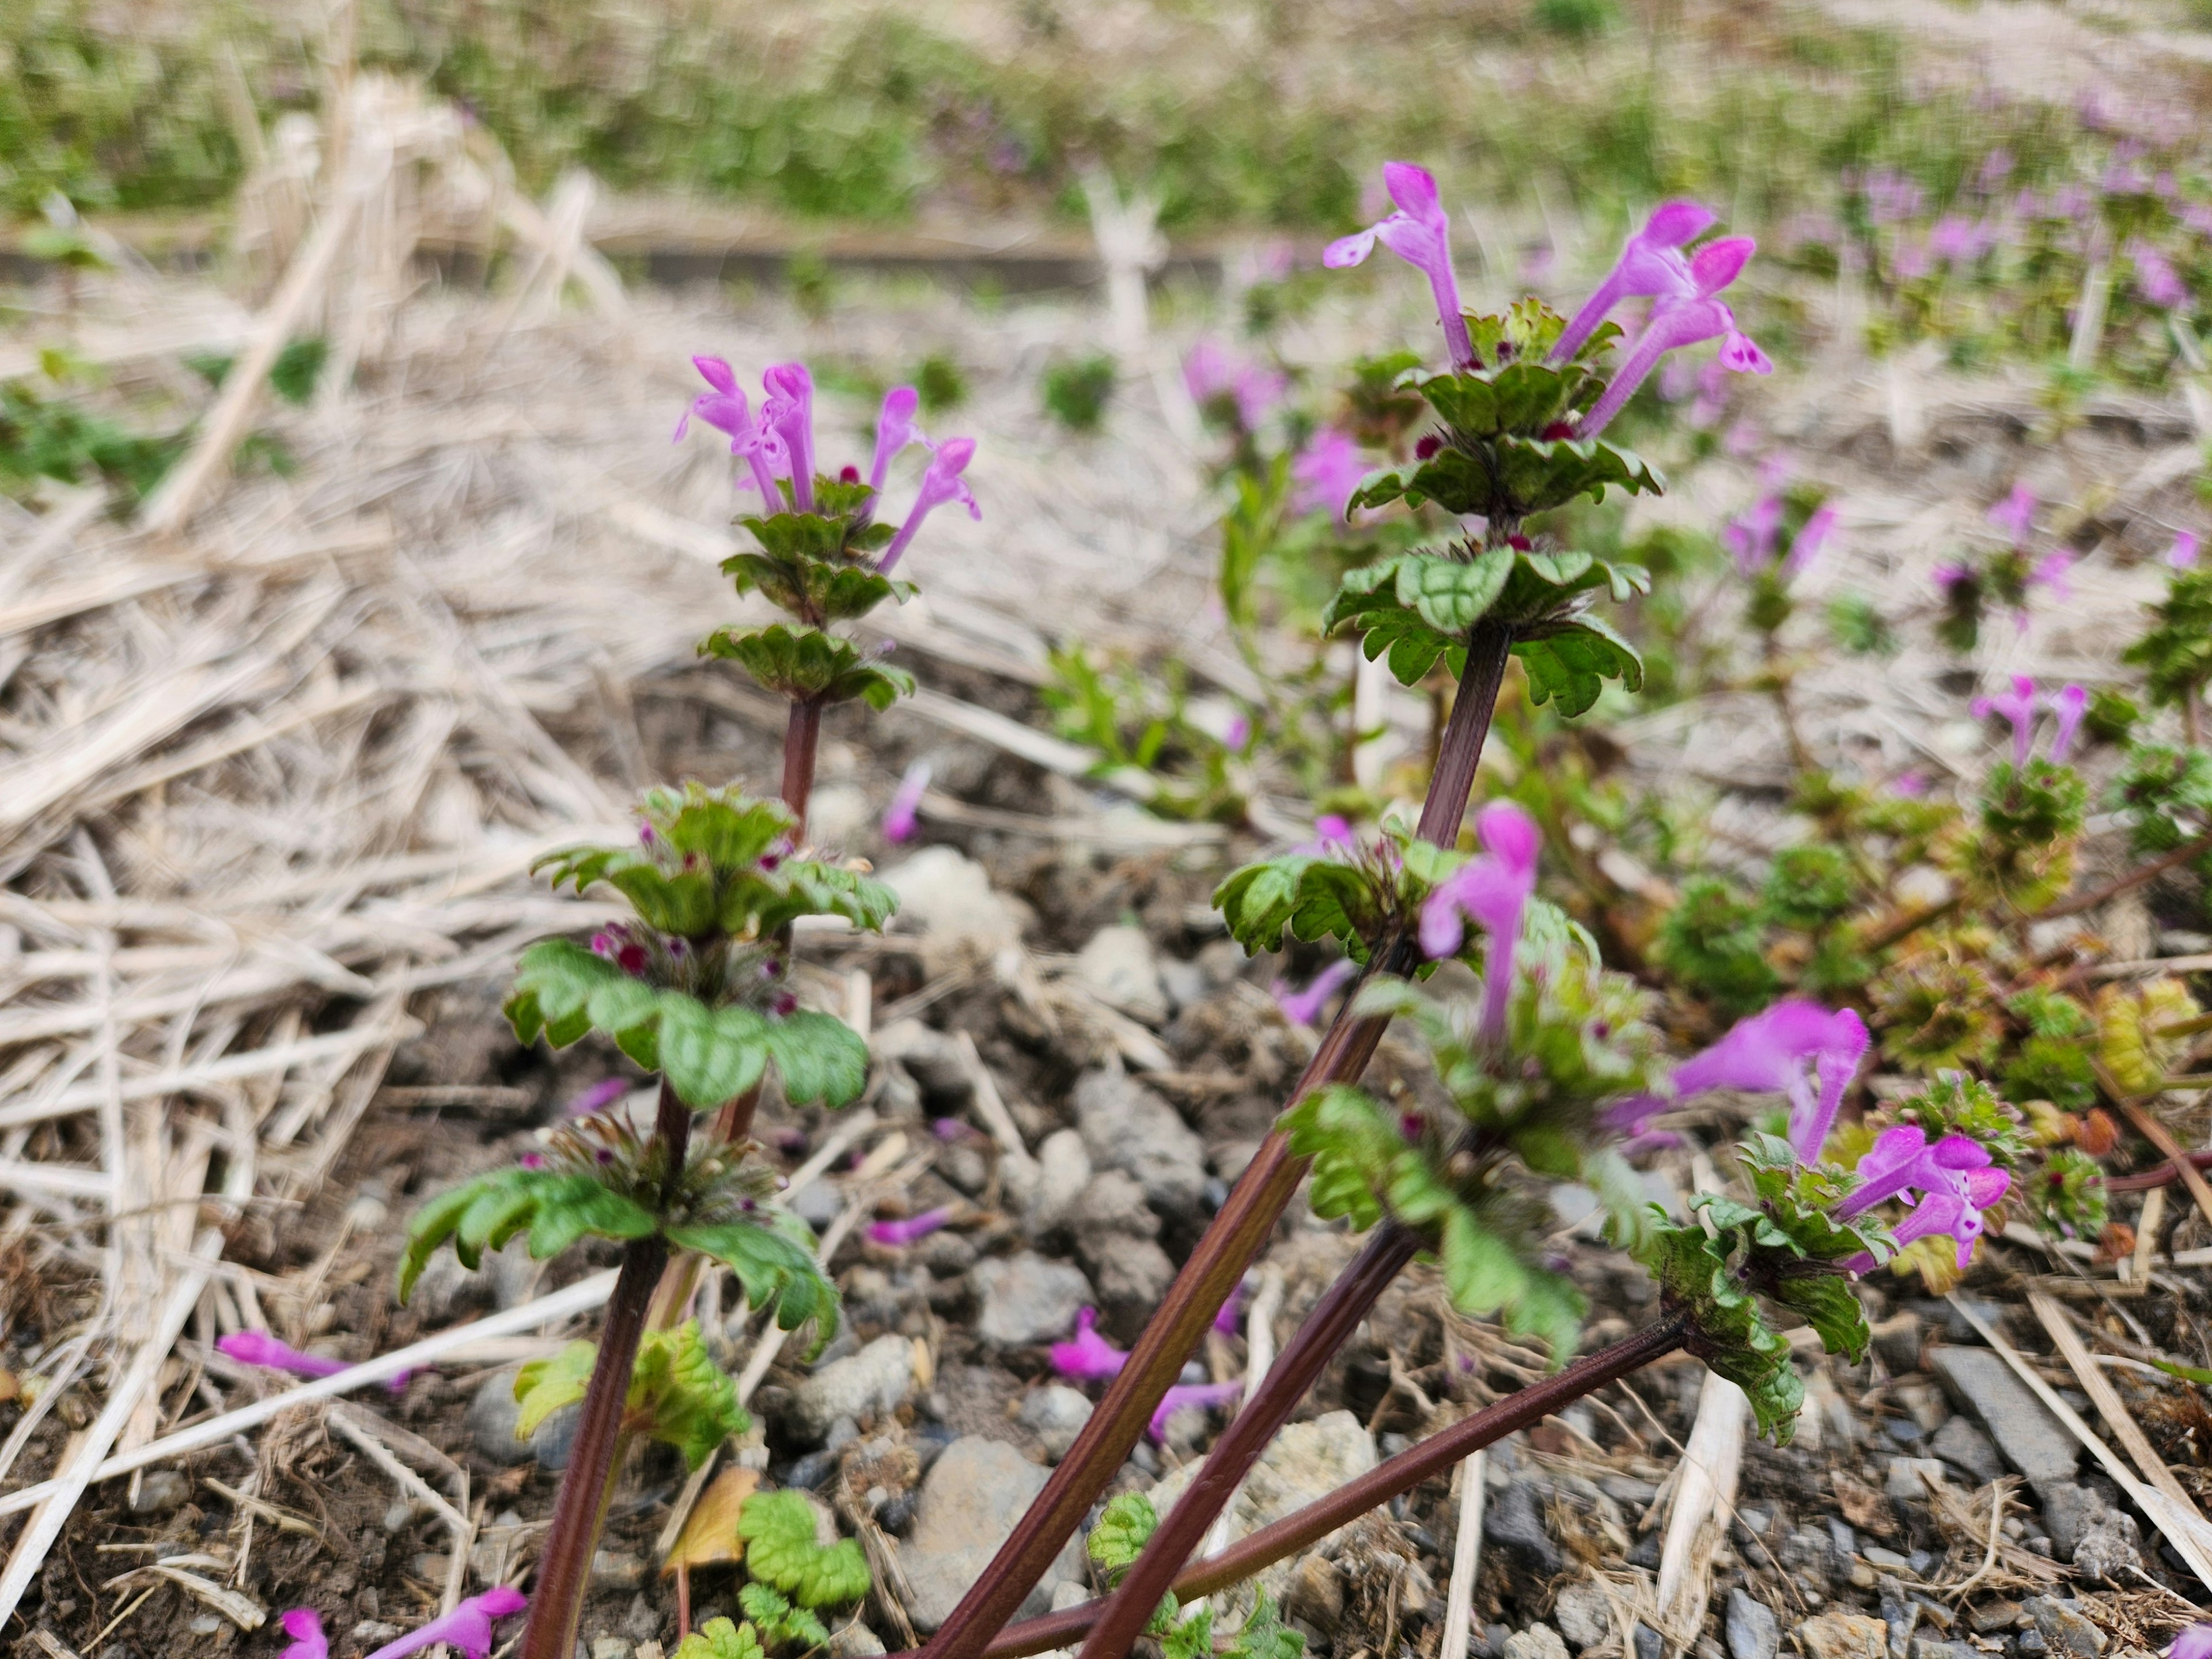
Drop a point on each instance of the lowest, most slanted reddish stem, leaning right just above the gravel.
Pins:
(1377, 1488)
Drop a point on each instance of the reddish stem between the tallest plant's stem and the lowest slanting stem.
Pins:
(1300, 1366)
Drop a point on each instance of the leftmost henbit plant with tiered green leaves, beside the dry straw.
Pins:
(698, 990)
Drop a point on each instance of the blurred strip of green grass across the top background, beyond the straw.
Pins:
(1260, 114)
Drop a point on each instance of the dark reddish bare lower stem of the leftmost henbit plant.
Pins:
(581, 1507)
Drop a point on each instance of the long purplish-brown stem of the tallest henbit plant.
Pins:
(1235, 1238)
